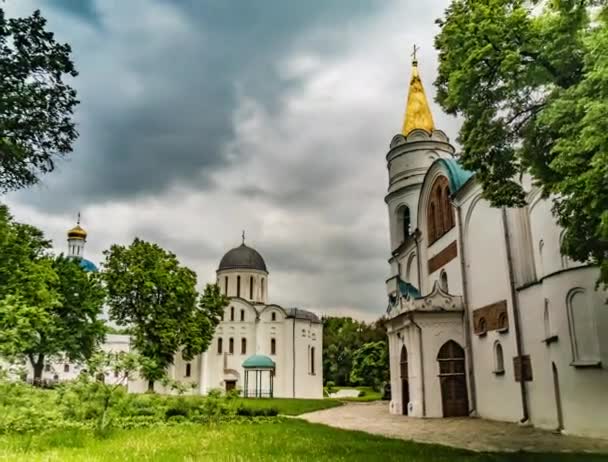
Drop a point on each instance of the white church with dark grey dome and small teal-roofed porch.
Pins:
(259, 348)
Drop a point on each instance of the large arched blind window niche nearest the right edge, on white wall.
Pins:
(583, 328)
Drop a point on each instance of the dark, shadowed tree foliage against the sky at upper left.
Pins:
(36, 104)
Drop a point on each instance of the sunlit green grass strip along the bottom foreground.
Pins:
(279, 440)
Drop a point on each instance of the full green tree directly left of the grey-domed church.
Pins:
(151, 293)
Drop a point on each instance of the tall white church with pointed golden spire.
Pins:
(486, 317)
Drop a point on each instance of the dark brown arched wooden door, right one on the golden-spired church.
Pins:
(453, 381)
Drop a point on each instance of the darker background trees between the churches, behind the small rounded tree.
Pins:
(342, 337)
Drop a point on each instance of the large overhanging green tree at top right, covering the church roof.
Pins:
(532, 87)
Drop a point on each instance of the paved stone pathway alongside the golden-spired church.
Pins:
(468, 433)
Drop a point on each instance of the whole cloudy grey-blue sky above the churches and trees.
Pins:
(201, 118)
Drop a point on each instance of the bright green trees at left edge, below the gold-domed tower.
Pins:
(49, 306)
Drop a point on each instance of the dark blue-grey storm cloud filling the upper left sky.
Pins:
(175, 130)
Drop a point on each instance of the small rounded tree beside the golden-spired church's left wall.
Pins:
(370, 365)
